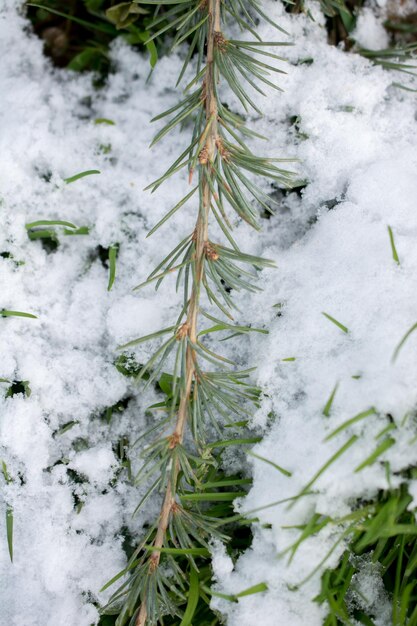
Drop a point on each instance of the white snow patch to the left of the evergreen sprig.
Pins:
(63, 555)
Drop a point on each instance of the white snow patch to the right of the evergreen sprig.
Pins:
(358, 153)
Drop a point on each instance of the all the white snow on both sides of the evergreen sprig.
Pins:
(355, 137)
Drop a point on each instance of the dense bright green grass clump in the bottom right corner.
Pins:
(382, 539)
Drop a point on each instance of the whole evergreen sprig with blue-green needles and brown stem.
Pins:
(206, 391)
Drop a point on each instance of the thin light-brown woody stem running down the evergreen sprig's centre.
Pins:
(190, 325)
